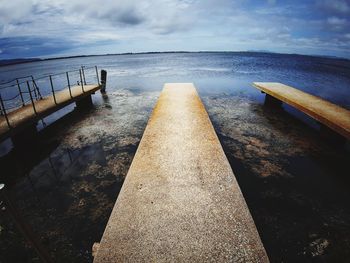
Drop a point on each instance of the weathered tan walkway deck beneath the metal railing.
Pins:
(25, 116)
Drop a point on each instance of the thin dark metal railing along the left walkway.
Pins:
(24, 91)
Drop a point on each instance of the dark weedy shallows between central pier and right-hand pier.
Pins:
(295, 184)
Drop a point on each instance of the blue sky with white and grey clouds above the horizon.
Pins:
(52, 28)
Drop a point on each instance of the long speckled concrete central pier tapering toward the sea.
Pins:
(180, 200)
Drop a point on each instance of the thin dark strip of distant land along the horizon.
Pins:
(15, 61)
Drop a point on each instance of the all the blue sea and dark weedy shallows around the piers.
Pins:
(294, 182)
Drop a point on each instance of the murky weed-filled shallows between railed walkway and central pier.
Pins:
(66, 194)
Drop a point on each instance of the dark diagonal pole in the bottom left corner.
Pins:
(23, 226)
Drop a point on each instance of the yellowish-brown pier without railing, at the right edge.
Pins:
(329, 114)
